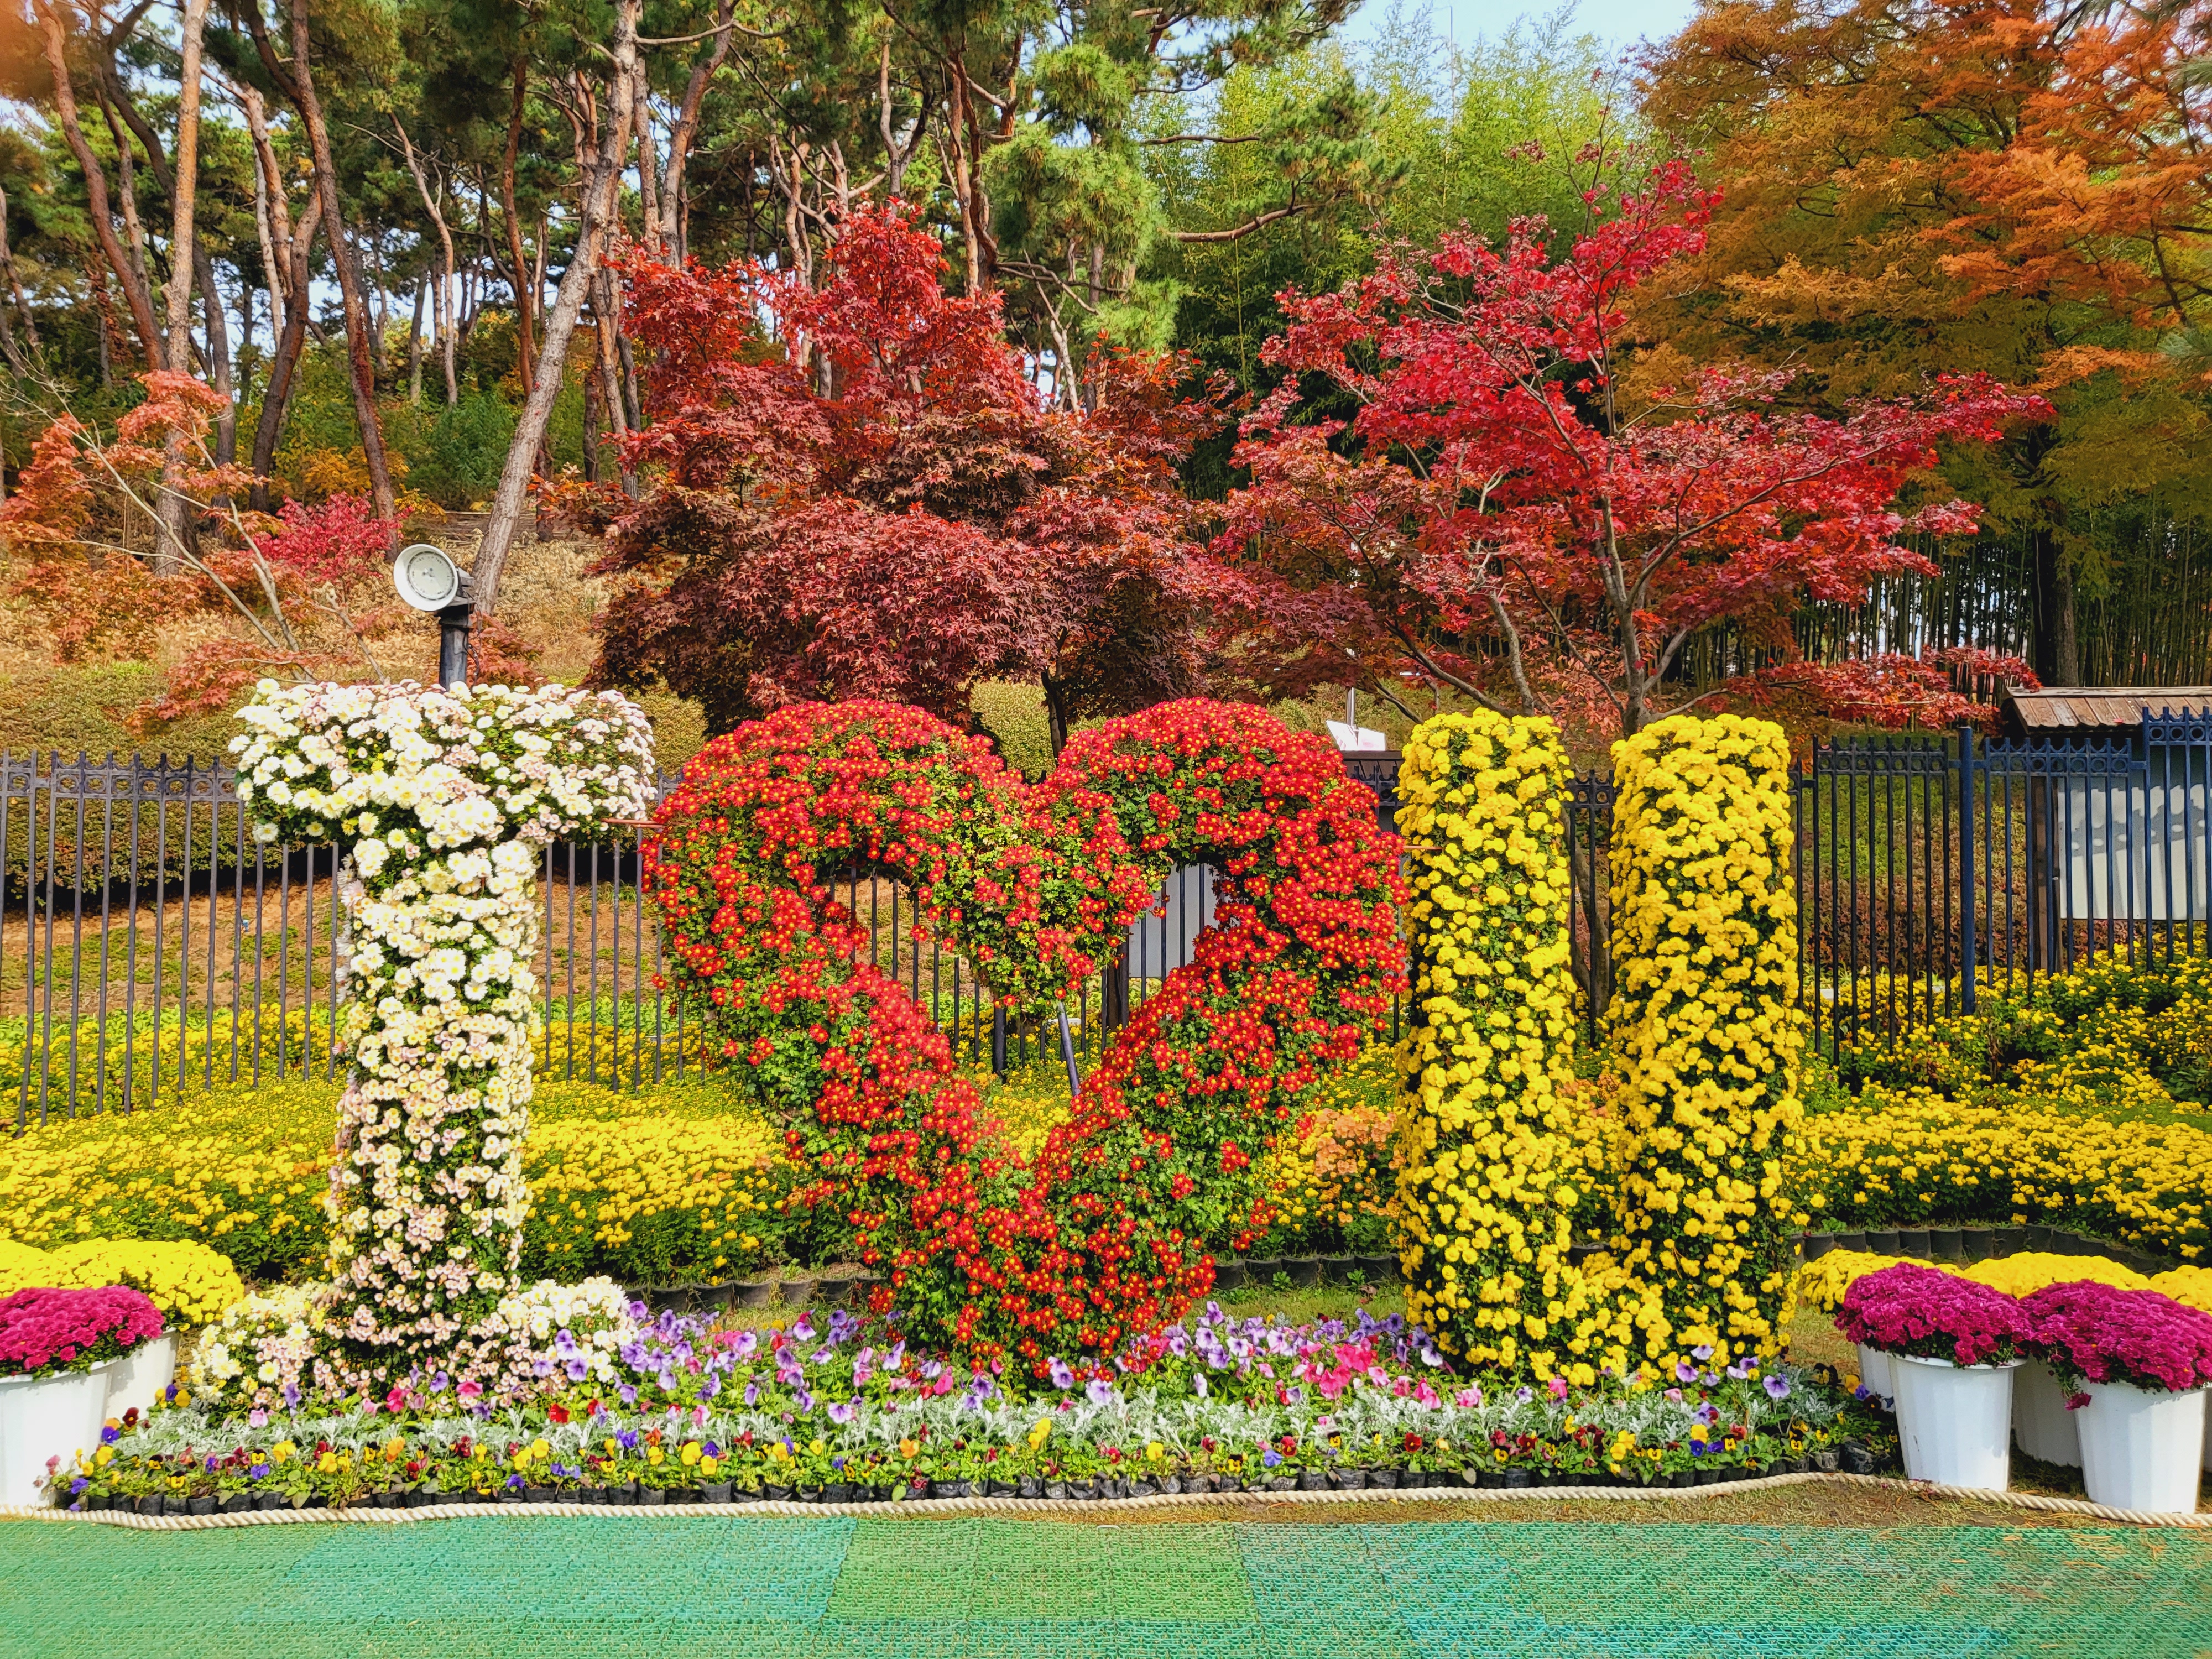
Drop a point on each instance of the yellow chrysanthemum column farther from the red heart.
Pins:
(1707, 1030)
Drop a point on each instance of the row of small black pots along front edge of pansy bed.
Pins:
(1850, 1459)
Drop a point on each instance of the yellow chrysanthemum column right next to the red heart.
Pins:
(1488, 1160)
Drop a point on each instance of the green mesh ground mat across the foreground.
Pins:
(640, 1587)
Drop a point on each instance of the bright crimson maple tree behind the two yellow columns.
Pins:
(1503, 519)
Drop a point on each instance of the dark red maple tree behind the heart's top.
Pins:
(862, 494)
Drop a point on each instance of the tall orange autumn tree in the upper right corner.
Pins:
(2003, 187)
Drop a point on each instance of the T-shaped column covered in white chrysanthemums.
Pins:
(444, 804)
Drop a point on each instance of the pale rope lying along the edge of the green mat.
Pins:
(952, 1507)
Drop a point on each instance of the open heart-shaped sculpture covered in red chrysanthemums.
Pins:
(1103, 1233)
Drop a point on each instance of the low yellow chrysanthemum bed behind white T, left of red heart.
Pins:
(678, 1185)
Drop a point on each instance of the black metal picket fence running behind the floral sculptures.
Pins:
(149, 943)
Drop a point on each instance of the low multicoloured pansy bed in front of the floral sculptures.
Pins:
(839, 1410)
